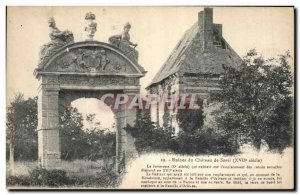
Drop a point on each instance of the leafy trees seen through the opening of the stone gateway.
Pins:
(90, 143)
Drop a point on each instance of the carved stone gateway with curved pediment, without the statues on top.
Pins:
(84, 69)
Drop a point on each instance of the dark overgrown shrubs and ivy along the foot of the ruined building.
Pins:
(191, 139)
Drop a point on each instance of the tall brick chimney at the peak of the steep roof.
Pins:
(205, 23)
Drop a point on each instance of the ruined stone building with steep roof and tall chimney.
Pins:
(194, 66)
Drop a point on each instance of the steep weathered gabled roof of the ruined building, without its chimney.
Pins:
(190, 57)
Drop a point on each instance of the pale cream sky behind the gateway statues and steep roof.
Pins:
(156, 30)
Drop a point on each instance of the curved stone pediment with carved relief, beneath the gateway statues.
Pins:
(90, 57)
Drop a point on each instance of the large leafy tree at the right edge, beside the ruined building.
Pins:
(256, 100)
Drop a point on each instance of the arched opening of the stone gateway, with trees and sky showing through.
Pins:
(88, 137)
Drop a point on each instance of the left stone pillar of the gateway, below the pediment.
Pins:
(48, 127)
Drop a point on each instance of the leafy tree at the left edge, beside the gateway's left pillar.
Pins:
(21, 124)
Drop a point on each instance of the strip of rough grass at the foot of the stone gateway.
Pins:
(78, 174)
